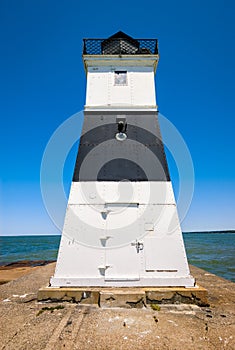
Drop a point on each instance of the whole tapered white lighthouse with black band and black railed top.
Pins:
(121, 226)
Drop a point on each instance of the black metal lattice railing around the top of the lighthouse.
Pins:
(122, 46)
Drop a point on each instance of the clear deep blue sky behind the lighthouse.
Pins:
(43, 83)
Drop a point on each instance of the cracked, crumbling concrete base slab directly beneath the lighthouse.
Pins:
(126, 297)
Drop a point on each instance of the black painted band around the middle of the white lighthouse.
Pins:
(103, 157)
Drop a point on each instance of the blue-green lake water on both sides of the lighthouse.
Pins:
(214, 252)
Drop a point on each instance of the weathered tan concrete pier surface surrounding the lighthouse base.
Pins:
(26, 323)
